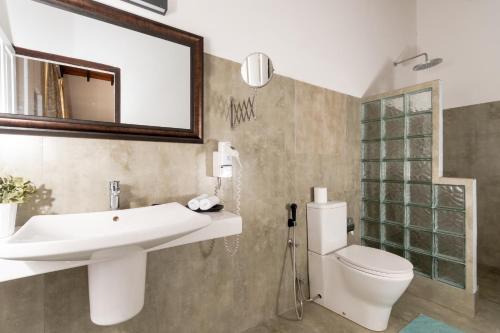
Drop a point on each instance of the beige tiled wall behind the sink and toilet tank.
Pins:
(303, 136)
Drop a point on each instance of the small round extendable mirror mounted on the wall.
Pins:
(257, 70)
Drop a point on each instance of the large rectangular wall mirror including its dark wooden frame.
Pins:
(95, 71)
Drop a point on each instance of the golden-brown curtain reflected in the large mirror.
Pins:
(54, 104)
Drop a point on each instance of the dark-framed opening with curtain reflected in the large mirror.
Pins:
(57, 90)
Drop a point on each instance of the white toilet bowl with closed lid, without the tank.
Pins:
(360, 283)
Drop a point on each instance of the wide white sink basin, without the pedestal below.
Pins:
(100, 235)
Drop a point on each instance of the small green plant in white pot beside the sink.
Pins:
(13, 191)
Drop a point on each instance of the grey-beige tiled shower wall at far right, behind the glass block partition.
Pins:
(471, 138)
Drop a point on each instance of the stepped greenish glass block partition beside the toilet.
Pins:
(403, 212)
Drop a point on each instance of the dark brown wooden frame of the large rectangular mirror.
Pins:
(85, 128)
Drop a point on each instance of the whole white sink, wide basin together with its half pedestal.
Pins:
(115, 244)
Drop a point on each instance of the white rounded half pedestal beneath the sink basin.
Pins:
(116, 288)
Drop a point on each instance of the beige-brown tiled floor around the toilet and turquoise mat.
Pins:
(319, 320)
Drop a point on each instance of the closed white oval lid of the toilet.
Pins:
(374, 260)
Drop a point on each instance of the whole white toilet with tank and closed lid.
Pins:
(360, 283)
